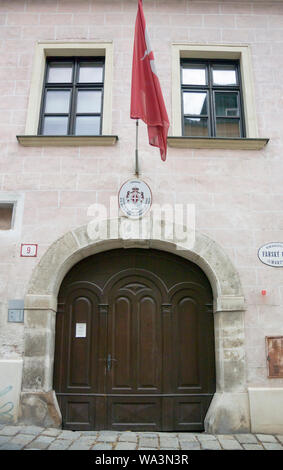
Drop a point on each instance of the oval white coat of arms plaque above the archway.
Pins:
(135, 198)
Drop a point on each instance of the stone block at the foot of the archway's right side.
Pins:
(228, 414)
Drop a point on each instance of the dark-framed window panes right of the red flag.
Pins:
(212, 99)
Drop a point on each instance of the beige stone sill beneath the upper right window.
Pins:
(216, 143)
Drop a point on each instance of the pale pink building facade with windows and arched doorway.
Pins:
(172, 321)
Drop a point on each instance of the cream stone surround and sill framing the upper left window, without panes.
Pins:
(67, 49)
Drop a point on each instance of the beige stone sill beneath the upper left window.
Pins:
(66, 140)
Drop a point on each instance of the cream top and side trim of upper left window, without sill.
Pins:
(65, 49)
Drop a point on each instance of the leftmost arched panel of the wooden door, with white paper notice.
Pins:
(78, 369)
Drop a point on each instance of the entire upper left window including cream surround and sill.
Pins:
(75, 53)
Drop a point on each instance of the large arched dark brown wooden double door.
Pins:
(134, 343)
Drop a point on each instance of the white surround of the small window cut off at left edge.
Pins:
(17, 200)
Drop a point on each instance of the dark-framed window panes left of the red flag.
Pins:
(72, 96)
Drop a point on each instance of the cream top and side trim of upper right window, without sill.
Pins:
(214, 51)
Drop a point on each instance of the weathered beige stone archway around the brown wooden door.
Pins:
(229, 410)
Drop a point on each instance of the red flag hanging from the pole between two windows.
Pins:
(146, 100)
